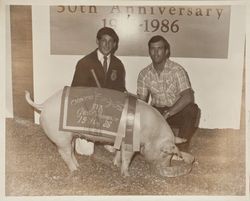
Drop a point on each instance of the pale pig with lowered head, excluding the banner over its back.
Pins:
(157, 141)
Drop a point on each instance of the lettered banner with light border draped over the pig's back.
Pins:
(97, 111)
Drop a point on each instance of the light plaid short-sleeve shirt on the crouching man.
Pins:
(165, 88)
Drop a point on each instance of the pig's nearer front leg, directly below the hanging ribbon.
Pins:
(126, 159)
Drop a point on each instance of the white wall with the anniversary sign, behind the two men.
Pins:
(207, 40)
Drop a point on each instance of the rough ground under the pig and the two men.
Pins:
(34, 167)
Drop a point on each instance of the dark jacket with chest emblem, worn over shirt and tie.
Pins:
(114, 79)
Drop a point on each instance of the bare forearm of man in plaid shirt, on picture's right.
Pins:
(187, 97)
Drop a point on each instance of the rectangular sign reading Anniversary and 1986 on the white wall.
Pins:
(193, 31)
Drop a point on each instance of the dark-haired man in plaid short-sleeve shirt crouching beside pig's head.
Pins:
(169, 87)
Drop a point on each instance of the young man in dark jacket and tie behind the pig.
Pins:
(108, 69)
